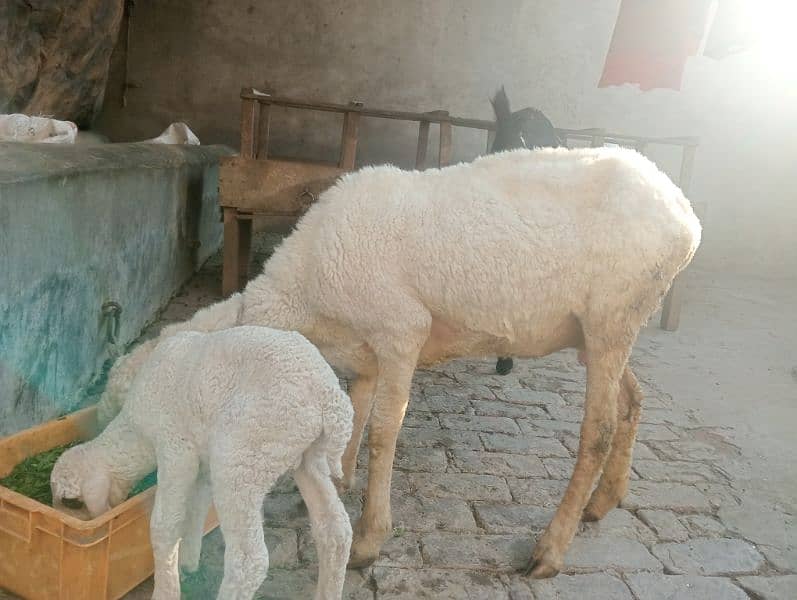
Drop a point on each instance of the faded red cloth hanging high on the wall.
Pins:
(652, 41)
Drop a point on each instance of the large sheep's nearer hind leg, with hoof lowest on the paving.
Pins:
(604, 368)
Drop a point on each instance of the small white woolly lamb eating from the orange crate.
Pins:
(223, 415)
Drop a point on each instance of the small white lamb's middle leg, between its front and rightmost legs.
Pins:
(240, 482)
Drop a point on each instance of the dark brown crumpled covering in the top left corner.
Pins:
(54, 56)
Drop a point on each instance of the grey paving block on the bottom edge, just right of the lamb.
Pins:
(433, 584)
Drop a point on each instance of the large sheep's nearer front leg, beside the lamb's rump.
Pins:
(391, 398)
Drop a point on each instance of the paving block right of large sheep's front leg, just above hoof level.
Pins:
(429, 514)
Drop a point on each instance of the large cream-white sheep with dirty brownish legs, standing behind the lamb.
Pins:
(520, 253)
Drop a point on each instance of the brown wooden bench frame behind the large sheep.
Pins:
(252, 183)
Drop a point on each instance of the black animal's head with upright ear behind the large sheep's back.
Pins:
(526, 128)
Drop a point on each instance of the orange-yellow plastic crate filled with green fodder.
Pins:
(47, 555)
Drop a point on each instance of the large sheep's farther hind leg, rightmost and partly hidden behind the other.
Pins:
(613, 483)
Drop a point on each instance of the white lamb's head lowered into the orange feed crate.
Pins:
(83, 484)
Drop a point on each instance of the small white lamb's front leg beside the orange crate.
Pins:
(176, 478)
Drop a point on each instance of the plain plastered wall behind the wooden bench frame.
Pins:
(188, 61)
